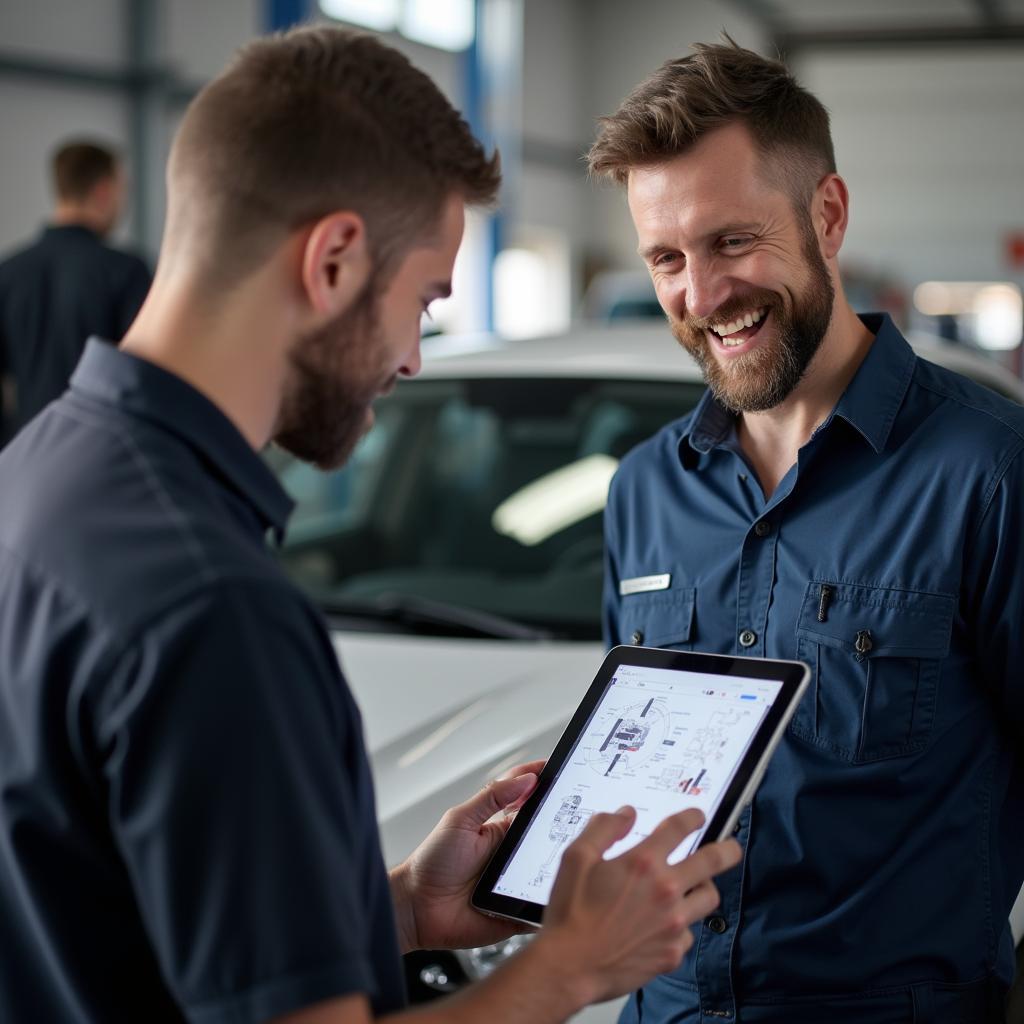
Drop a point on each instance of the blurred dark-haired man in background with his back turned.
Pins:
(69, 284)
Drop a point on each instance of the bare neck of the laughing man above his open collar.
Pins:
(773, 440)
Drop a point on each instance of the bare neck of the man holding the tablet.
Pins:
(232, 349)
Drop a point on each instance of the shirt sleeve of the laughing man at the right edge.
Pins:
(994, 595)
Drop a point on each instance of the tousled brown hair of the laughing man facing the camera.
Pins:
(717, 86)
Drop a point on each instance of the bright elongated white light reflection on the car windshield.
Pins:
(557, 500)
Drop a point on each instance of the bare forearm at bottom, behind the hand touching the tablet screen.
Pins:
(534, 988)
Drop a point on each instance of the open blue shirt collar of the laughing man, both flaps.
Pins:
(870, 404)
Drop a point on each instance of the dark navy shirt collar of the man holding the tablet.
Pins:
(143, 389)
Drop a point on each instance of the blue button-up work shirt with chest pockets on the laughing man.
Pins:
(885, 848)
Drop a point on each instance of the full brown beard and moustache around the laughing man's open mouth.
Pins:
(765, 377)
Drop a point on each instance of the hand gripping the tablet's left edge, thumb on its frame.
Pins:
(433, 888)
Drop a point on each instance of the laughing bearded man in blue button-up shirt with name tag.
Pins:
(837, 500)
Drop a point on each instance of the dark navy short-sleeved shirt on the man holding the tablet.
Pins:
(187, 816)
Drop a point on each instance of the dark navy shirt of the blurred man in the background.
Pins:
(55, 294)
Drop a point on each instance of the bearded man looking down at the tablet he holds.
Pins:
(187, 815)
